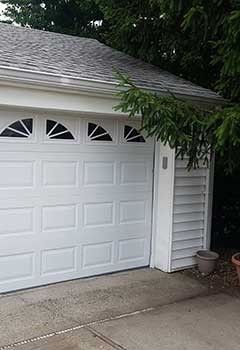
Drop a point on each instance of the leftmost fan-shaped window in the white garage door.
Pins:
(21, 128)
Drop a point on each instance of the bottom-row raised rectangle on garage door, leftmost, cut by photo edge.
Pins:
(16, 267)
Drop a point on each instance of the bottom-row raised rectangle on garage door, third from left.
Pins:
(97, 254)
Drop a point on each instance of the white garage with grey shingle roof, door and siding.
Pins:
(82, 191)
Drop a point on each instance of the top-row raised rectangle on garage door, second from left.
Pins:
(59, 173)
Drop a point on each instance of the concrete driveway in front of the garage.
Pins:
(141, 309)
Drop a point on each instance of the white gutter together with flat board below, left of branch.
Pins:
(31, 90)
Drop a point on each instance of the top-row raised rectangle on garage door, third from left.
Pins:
(99, 173)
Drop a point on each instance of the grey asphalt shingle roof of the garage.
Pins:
(84, 58)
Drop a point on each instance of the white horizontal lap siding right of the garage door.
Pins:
(188, 214)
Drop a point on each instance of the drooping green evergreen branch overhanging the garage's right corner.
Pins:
(193, 132)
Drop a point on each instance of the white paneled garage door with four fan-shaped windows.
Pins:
(75, 198)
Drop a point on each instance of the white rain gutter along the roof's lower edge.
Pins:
(51, 80)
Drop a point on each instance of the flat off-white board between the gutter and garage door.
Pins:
(60, 100)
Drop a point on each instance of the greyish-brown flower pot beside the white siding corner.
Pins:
(206, 261)
